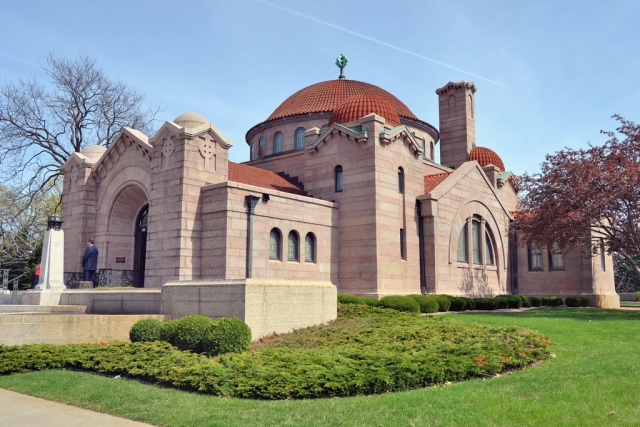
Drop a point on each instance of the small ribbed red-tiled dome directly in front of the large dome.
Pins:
(358, 106)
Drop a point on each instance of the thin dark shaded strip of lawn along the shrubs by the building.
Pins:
(568, 313)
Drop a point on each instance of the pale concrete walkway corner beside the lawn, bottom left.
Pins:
(19, 410)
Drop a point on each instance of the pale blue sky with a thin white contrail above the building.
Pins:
(549, 73)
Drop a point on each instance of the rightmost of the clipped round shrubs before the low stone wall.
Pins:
(226, 335)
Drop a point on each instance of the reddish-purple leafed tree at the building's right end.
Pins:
(582, 196)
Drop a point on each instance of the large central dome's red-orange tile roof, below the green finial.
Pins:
(324, 97)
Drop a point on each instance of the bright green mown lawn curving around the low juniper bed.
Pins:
(593, 381)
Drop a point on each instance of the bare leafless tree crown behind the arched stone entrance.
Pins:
(41, 125)
